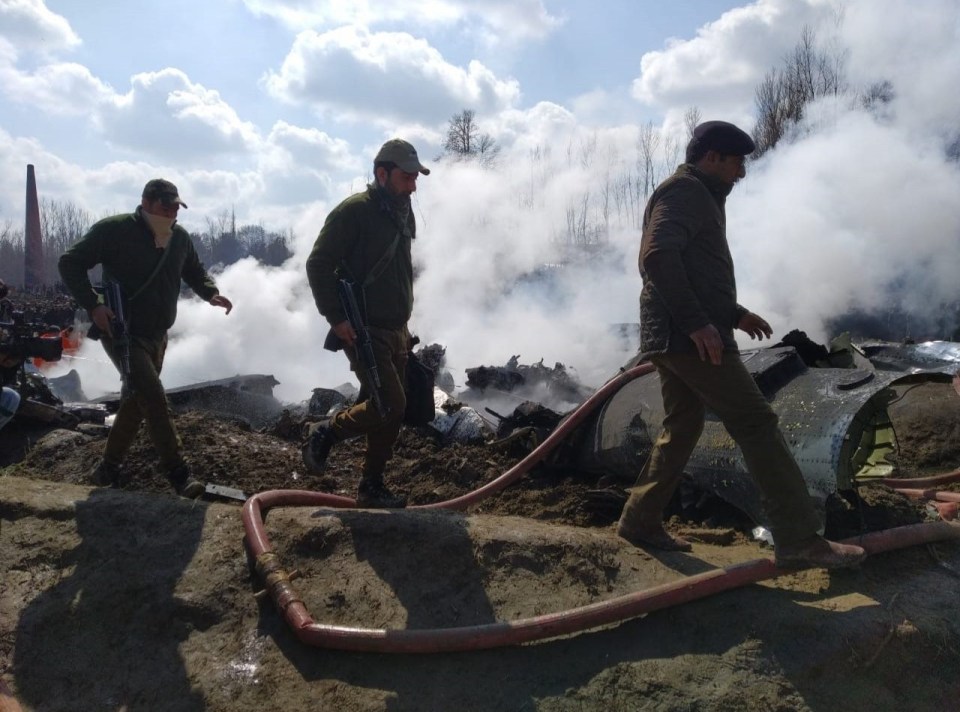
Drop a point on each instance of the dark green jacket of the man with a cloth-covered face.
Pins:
(124, 245)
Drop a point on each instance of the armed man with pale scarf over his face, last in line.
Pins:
(147, 254)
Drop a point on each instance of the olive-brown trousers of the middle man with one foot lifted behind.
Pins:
(390, 349)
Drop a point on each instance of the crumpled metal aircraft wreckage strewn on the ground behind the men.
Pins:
(832, 407)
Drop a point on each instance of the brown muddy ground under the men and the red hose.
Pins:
(135, 599)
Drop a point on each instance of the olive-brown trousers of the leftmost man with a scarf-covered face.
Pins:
(147, 402)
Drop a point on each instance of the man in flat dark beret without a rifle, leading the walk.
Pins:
(688, 311)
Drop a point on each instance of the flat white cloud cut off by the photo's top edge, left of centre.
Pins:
(497, 19)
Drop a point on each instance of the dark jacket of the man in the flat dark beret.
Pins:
(685, 262)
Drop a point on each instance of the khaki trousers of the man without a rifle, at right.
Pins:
(688, 387)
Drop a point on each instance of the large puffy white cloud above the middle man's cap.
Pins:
(383, 78)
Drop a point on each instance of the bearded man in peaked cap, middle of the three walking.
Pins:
(366, 239)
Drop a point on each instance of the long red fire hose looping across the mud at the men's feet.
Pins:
(478, 637)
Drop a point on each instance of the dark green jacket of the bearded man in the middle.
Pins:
(356, 234)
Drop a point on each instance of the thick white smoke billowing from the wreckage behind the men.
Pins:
(857, 209)
